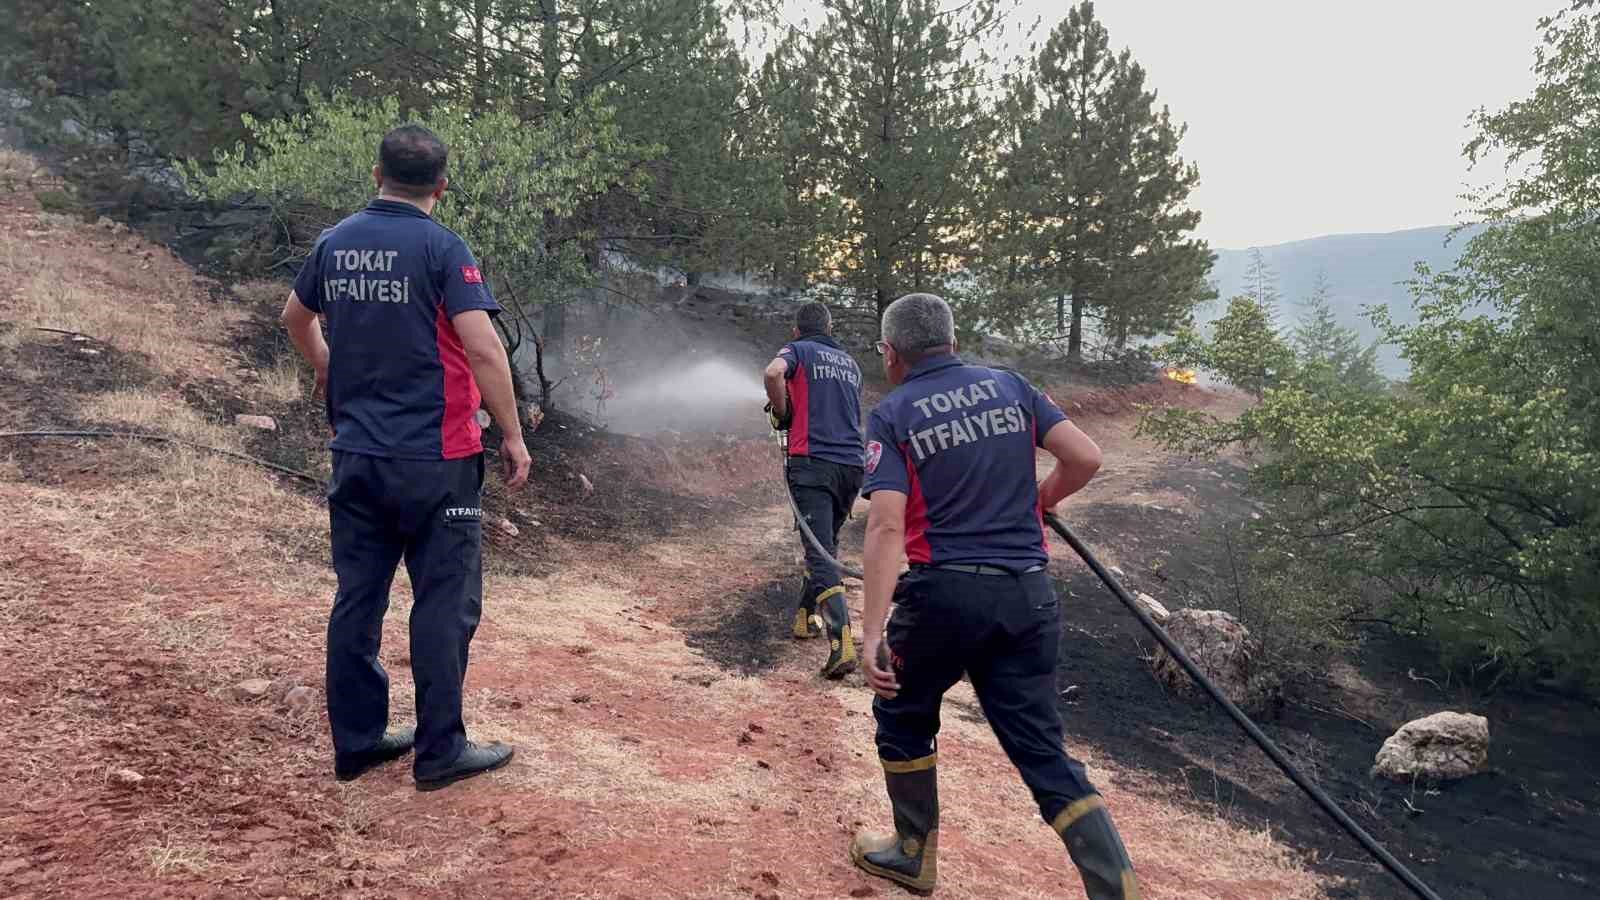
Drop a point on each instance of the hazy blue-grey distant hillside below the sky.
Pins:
(1366, 270)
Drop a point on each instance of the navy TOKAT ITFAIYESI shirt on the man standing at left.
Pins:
(390, 281)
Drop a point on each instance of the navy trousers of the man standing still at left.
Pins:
(430, 515)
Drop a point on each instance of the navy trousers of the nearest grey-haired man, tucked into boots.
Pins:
(1004, 632)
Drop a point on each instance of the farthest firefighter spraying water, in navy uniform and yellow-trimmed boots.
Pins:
(815, 395)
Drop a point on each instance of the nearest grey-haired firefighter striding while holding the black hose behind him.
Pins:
(951, 467)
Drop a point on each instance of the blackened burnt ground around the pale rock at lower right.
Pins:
(1530, 827)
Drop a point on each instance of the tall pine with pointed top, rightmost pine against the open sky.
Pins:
(1094, 171)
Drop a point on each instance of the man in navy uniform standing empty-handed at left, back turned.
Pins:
(410, 356)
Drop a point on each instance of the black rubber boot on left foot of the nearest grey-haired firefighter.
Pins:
(910, 854)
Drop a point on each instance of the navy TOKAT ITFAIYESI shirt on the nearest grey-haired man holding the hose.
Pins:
(959, 443)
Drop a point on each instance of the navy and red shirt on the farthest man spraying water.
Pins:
(825, 393)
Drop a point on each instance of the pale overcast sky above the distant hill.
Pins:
(1313, 118)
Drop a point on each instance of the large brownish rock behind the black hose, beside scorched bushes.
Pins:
(1225, 653)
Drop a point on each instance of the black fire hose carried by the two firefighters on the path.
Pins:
(1274, 753)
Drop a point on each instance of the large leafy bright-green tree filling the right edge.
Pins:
(1473, 492)
